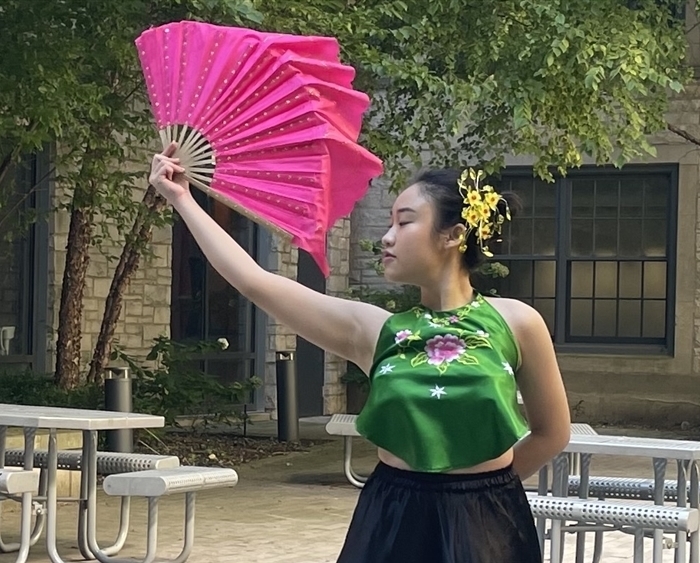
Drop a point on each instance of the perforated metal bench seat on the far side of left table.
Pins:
(108, 463)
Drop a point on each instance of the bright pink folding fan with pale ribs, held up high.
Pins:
(266, 123)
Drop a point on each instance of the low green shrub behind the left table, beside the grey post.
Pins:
(172, 384)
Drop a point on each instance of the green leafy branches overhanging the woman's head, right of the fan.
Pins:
(471, 81)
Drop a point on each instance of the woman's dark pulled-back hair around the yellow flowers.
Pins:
(442, 187)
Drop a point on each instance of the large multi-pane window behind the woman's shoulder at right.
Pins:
(594, 254)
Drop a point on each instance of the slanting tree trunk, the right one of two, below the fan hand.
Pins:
(141, 234)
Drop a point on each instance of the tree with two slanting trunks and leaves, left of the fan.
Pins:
(70, 76)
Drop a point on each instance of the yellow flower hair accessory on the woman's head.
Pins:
(480, 211)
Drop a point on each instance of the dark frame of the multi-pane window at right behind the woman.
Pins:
(563, 259)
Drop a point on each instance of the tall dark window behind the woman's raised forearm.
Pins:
(205, 306)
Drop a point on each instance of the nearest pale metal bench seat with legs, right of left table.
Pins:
(156, 483)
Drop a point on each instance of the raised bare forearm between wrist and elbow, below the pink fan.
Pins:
(224, 254)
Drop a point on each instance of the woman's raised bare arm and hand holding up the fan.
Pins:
(347, 328)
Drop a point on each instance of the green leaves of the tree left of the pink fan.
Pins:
(69, 74)
